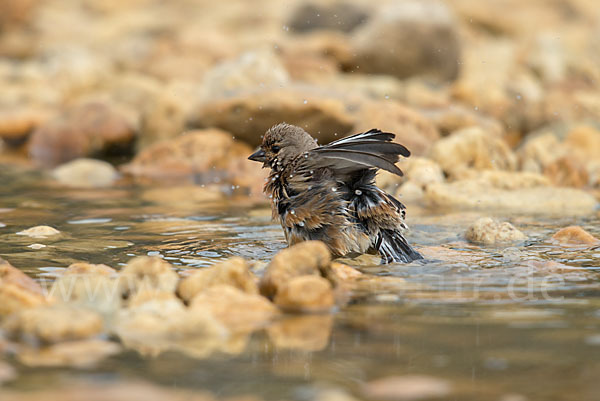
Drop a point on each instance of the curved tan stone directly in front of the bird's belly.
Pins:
(304, 258)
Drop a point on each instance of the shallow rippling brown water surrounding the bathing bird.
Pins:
(495, 322)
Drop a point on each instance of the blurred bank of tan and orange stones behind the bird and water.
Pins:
(121, 81)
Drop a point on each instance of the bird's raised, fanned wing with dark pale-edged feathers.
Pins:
(372, 149)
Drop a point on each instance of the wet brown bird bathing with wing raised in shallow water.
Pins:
(328, 193)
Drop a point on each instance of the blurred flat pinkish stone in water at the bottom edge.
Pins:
(407, 388)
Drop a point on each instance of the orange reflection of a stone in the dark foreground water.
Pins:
(302, 332)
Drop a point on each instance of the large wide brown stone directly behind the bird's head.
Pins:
(249, 114)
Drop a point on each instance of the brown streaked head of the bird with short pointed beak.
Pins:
(282, 143)
